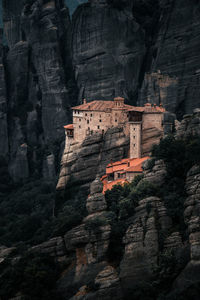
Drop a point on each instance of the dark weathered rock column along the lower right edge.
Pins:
(189, 277)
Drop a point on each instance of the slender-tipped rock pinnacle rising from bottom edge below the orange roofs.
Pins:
(93, 276)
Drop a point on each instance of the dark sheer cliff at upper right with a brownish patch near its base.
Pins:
(174, 70)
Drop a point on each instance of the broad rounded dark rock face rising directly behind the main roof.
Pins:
(108, 50)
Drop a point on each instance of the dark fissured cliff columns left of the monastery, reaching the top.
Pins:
(38, 76)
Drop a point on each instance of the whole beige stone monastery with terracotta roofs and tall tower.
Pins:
(98, 116)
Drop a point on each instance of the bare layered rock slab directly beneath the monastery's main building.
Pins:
(81, 163)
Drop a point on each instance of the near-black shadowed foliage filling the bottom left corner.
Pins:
(34, 276)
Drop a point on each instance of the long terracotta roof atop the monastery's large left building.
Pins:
(101, 105)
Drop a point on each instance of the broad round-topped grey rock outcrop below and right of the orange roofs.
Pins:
(142, 244)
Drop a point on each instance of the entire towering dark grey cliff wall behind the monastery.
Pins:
(142, 50)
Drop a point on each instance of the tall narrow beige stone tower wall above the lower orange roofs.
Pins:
(135, 140)
